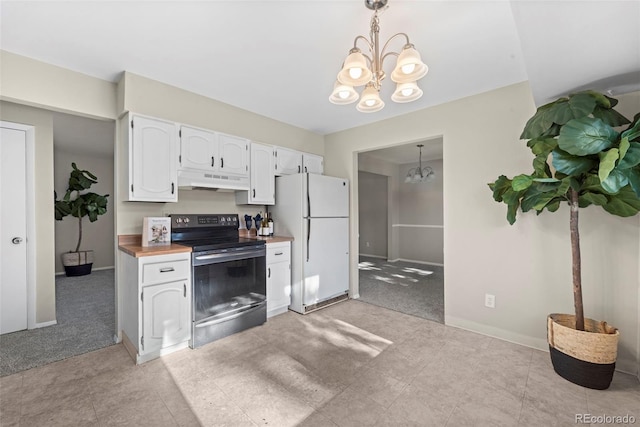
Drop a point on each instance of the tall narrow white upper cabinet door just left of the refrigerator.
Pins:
(262, 176)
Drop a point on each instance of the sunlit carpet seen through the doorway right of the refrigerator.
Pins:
(409, 288)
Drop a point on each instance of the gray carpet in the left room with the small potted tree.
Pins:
(85, 311)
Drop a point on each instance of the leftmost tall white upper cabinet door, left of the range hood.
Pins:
(153, 164)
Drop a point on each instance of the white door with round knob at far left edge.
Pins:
(13, 245)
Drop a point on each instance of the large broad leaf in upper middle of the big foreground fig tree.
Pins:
(586, 136)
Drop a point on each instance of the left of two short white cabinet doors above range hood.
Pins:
(198, 149)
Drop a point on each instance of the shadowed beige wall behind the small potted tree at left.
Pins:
(96, 236)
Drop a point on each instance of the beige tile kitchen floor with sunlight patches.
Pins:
(351, 364)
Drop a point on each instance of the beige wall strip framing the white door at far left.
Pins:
(44, 239)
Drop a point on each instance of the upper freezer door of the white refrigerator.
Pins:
(328, 197)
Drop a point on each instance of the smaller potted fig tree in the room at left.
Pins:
(80, 203)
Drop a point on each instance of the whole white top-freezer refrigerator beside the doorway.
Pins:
(314, 210)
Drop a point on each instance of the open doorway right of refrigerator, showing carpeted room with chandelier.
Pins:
(409, 275)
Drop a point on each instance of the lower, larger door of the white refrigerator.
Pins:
(326, 259)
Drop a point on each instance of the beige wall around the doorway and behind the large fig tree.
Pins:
(526, 265)
